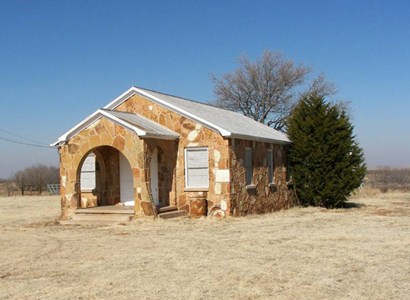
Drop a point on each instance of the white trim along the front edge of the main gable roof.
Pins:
(113, 104)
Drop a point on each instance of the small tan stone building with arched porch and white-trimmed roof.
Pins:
(150, 152)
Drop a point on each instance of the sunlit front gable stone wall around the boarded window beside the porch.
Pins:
(192, 134)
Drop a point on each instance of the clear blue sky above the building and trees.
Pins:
(62, 60)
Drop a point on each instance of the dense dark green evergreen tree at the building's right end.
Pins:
(327, 164)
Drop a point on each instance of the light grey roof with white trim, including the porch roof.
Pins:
(227, 123)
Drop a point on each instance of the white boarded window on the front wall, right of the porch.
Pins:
(196, 168)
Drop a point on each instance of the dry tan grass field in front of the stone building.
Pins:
(303, 253)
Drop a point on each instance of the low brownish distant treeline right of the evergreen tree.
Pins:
(386, 178)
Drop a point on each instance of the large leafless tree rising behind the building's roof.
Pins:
(268, 89)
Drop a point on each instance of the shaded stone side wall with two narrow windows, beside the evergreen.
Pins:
(264, 197)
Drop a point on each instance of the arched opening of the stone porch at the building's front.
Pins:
(105, 178)
